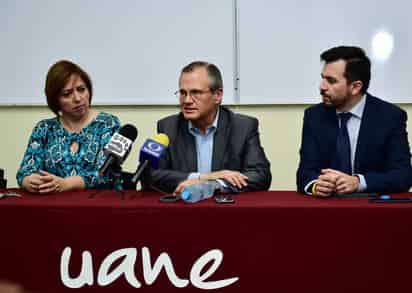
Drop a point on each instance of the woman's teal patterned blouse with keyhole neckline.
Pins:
(49, 150)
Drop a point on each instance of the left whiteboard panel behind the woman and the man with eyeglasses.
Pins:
(132, 49)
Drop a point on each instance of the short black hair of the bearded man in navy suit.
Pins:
(358, 65)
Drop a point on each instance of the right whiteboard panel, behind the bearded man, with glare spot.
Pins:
(280, 43)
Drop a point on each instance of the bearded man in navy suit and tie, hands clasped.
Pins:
(352, 142)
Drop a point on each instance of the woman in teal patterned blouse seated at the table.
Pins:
(65, 152)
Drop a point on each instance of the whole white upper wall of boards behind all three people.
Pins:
(134, 49)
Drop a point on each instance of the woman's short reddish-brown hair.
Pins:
(57, 77)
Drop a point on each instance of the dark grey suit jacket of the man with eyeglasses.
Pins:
(236, 147)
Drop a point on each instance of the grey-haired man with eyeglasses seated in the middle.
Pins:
(207, 140)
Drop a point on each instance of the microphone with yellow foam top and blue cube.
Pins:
(150, 154)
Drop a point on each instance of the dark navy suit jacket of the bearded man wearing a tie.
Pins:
(382, 152)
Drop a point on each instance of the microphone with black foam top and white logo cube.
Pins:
(118, 147)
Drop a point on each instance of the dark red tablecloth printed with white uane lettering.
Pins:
(276, 241)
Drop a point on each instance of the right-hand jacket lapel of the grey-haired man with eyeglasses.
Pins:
(221, 139)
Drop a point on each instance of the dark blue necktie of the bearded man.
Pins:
(343, 161)
